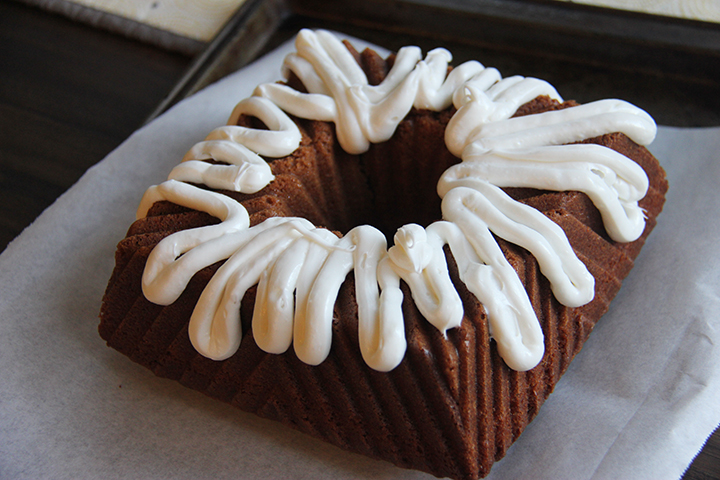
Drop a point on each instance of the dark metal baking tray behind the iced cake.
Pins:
(668, 66)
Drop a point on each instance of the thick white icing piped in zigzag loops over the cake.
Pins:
(299, 269)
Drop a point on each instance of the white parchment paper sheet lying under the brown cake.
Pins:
(638, 402)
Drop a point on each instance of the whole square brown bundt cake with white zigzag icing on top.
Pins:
(259, 273)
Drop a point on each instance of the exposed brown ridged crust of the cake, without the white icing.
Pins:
(452, 407)
